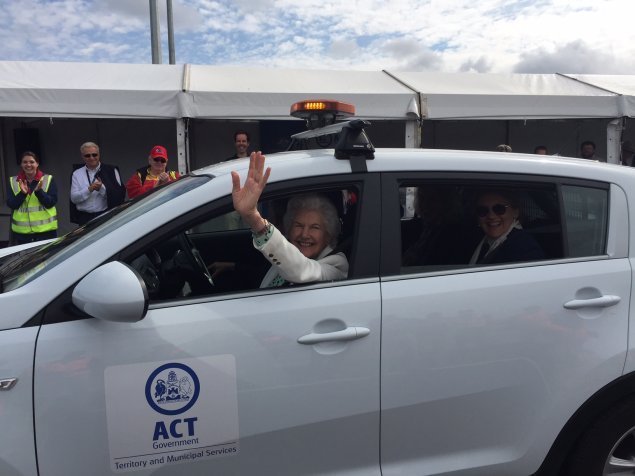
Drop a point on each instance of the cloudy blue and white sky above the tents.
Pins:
(495, 36)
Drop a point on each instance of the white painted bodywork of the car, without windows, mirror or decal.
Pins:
(478, 369)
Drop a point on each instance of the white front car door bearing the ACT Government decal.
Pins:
(258, 381)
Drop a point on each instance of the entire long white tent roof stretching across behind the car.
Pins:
(43, 89)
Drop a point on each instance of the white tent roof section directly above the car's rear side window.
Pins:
(507, 96)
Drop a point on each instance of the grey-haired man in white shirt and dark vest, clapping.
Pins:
(95, 186)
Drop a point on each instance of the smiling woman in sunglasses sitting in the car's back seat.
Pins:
(505, 240)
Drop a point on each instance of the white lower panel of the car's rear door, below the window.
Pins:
(469, 381)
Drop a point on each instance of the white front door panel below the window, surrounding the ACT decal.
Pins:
(299, 406)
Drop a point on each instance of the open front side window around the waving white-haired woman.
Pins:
(216, 253)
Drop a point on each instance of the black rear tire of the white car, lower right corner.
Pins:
(607, 447)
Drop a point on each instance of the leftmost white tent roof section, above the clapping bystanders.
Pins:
(53, 89)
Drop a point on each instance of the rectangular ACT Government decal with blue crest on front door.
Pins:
(171, 412)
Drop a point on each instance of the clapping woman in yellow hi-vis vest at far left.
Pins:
(32, 198)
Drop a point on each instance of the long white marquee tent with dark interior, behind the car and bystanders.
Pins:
(102, 101)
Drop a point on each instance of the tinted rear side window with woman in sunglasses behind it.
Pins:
(457, 224)
